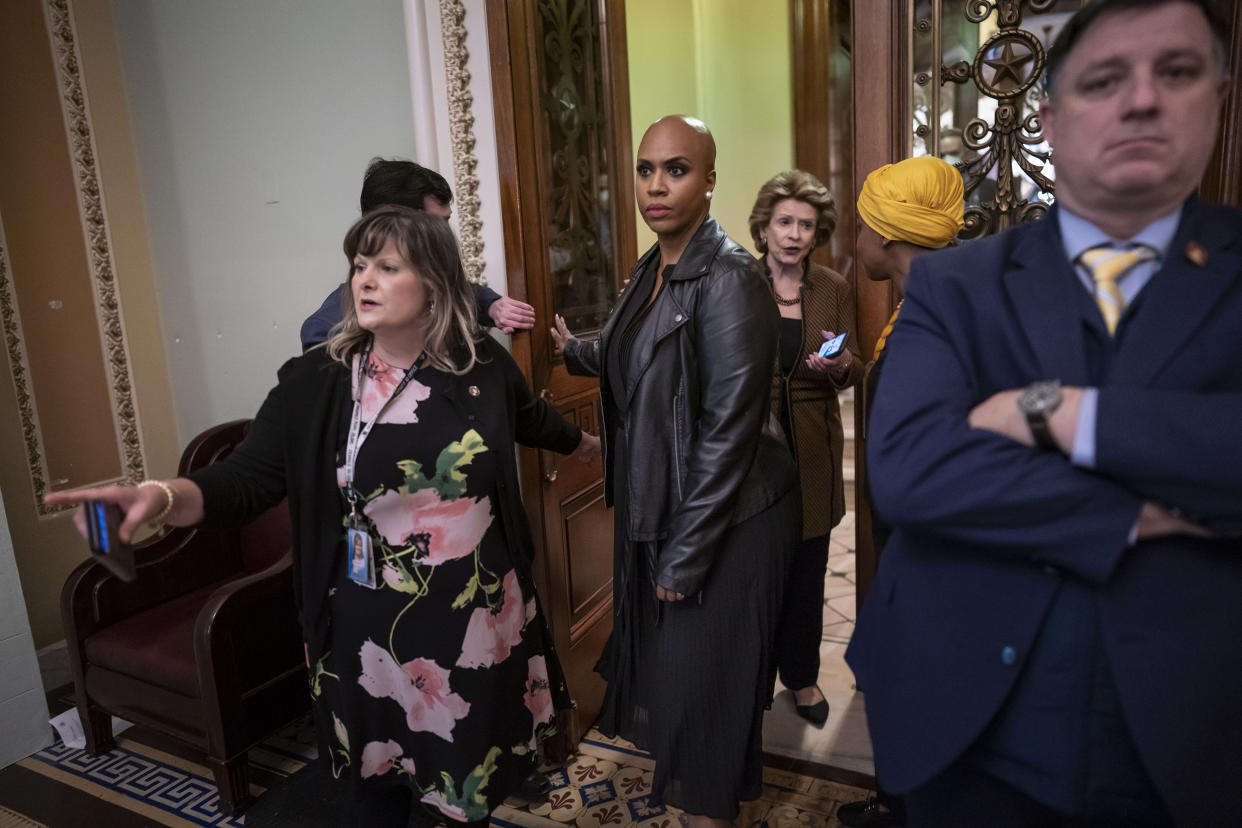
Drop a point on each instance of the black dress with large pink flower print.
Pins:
(438, 678)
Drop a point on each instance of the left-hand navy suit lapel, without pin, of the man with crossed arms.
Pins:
(1040, 282)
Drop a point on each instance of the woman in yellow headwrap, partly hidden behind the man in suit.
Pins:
(906, 209)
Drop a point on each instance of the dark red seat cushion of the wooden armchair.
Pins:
(156, 646)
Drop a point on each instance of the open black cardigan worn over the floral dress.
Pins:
(292, 450)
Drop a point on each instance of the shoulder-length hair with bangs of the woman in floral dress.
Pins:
(428, 245)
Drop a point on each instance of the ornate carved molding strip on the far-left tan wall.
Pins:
(99, 244)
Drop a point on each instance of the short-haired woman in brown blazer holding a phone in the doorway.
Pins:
(793, 215)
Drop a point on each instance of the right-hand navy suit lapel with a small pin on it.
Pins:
(1179, 297)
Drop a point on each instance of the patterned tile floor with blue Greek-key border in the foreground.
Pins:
(148, 780)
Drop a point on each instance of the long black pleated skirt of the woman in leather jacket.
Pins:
(689, 681)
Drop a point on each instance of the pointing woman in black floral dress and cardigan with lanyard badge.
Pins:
(432, 667)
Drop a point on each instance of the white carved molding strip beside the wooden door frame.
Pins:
(461, 128)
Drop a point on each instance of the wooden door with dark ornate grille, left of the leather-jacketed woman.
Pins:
(563, 122)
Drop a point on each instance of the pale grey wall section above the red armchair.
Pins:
(237, 105)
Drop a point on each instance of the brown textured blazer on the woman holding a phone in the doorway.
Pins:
(812, 398)
